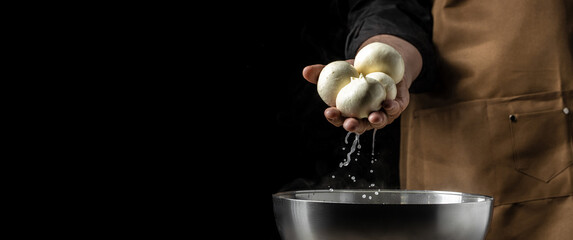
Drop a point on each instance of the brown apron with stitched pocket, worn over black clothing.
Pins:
(500, 122)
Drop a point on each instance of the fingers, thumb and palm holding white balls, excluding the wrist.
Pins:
(391, 109)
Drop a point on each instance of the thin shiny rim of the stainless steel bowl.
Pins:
(283, 195)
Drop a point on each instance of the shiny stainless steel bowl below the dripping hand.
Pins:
(381, 214)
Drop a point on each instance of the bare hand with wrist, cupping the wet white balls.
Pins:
(391, 109)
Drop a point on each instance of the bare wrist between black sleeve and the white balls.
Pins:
(412, 57)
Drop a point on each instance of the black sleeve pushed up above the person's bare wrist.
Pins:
(410, 20)
